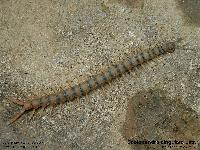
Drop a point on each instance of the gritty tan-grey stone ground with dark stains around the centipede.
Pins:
(48, 45)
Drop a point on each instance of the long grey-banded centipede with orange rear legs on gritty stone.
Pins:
(95, 82)
